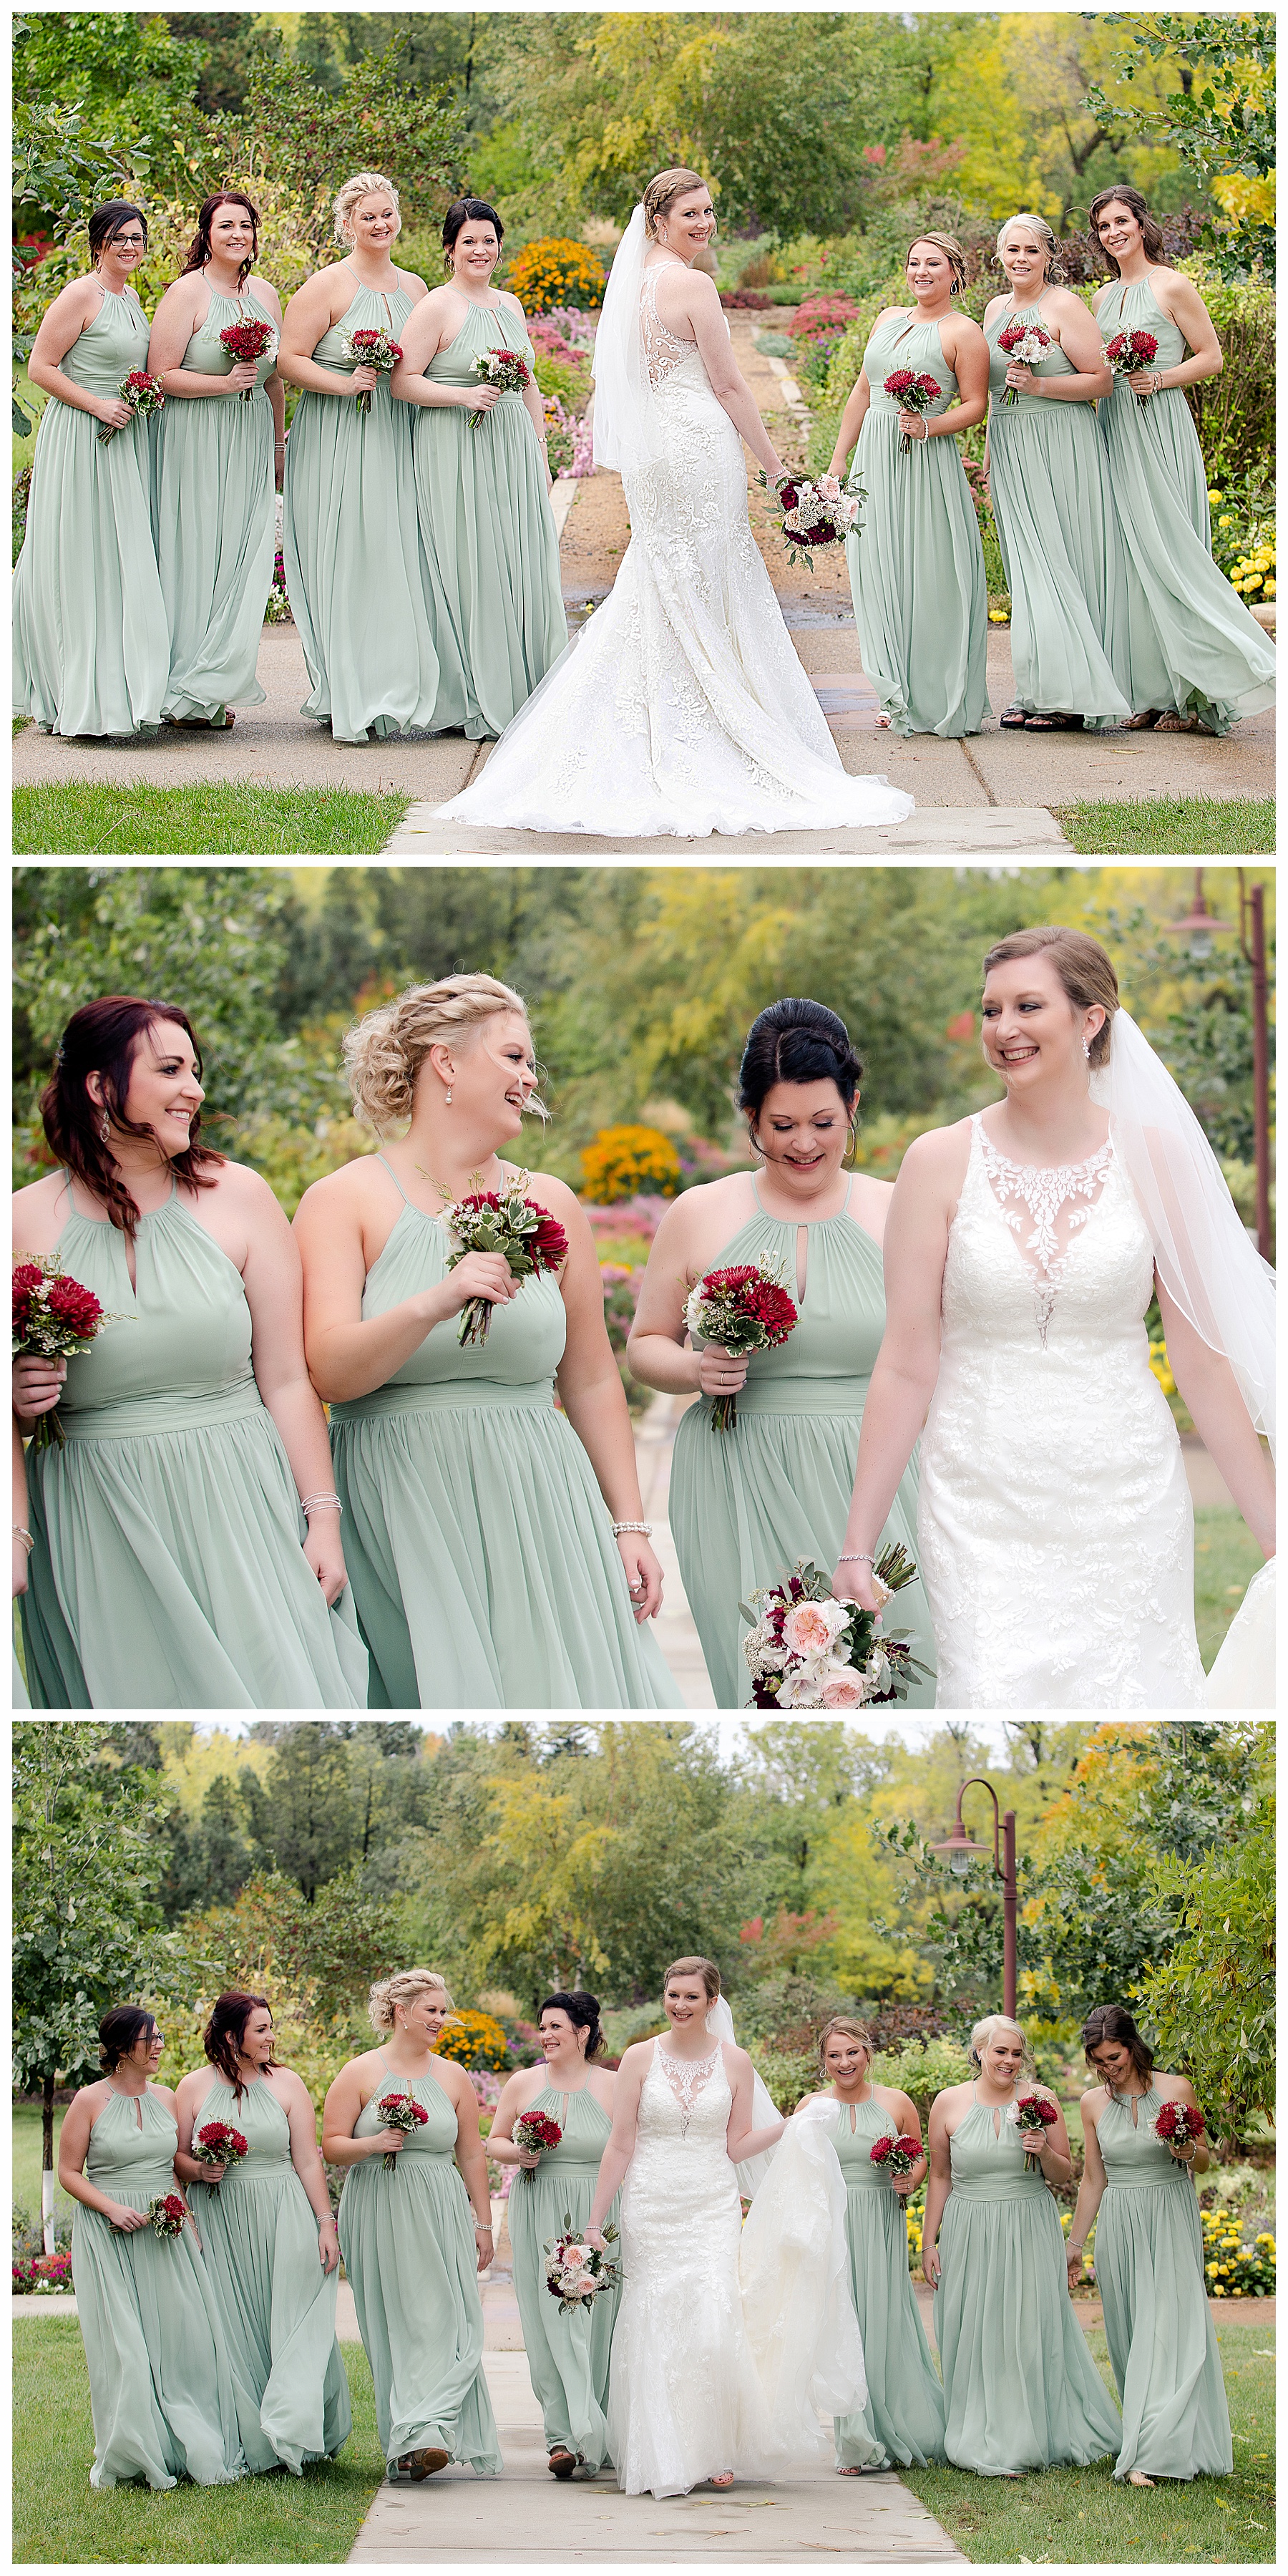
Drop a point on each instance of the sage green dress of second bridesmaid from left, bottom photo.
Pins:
(277, 2304)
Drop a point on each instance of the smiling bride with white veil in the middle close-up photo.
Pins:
(1055, 1526)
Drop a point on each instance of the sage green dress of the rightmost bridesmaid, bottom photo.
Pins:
(1158, 2322)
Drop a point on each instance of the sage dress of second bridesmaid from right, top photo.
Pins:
(1060, 545)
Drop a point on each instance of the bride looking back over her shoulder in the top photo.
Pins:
(684, 705)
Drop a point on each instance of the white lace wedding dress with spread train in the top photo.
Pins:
(684, 705)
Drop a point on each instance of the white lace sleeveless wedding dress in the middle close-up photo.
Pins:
(1055, 1526)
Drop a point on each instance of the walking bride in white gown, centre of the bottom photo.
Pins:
(728, 2340)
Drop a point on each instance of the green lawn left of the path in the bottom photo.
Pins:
(261, 2521)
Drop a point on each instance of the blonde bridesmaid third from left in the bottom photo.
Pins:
(406, 2235)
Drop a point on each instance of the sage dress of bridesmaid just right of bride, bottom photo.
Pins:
(903, 2420)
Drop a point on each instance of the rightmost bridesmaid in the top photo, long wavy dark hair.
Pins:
(1194, 650)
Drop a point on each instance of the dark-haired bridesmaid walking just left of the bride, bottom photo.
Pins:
(568, 2356)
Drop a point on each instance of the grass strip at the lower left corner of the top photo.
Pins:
(202, 820)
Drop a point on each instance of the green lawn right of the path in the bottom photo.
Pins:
(1081, 2518)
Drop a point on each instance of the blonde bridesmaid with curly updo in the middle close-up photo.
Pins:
(498, 1547)
